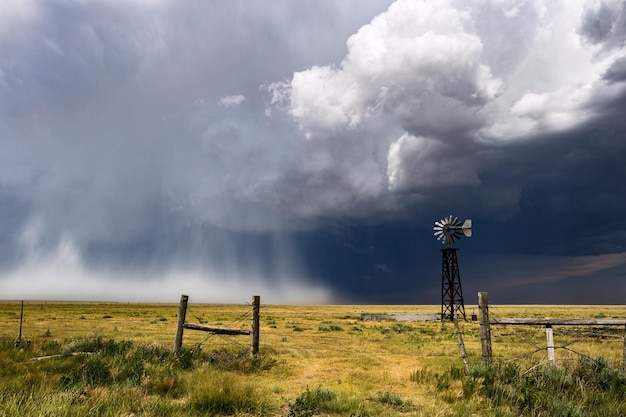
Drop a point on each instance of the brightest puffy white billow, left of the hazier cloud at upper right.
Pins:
(415, 62)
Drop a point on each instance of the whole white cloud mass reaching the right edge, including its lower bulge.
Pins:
(452, 74)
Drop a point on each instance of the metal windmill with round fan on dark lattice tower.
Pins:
(449, 230)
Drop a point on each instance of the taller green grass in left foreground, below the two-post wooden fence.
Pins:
(96, 376)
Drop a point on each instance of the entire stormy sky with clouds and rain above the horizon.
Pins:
(302, 150)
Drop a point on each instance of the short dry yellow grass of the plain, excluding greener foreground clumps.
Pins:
(328, 346)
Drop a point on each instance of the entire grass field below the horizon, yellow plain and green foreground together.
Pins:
(115, 359)
